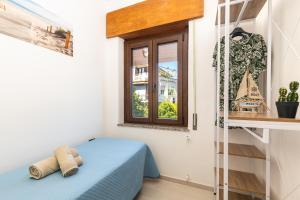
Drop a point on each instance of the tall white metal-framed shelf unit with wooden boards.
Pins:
(237, 184)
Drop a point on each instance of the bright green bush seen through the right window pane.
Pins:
(167, 110)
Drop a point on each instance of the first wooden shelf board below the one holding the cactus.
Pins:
(242, 150)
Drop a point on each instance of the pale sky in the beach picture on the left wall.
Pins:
(35, 9)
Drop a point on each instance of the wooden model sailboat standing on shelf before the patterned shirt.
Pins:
(248, 97)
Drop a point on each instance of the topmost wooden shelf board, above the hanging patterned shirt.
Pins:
(252, 10)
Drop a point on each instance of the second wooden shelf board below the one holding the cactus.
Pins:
(244, 182)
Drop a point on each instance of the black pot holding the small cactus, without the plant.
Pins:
(287, 109)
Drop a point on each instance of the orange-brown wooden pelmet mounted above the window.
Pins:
(150, 14)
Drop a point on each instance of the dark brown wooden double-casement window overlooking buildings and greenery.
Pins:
(156, 79)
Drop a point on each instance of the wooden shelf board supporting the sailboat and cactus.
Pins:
(260, 117)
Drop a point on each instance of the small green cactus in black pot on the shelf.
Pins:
(287, 106)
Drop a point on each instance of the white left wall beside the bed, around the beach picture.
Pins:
(47, 98)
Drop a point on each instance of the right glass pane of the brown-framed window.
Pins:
(167, 81)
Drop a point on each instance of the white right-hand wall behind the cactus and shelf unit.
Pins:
(285, 145)
